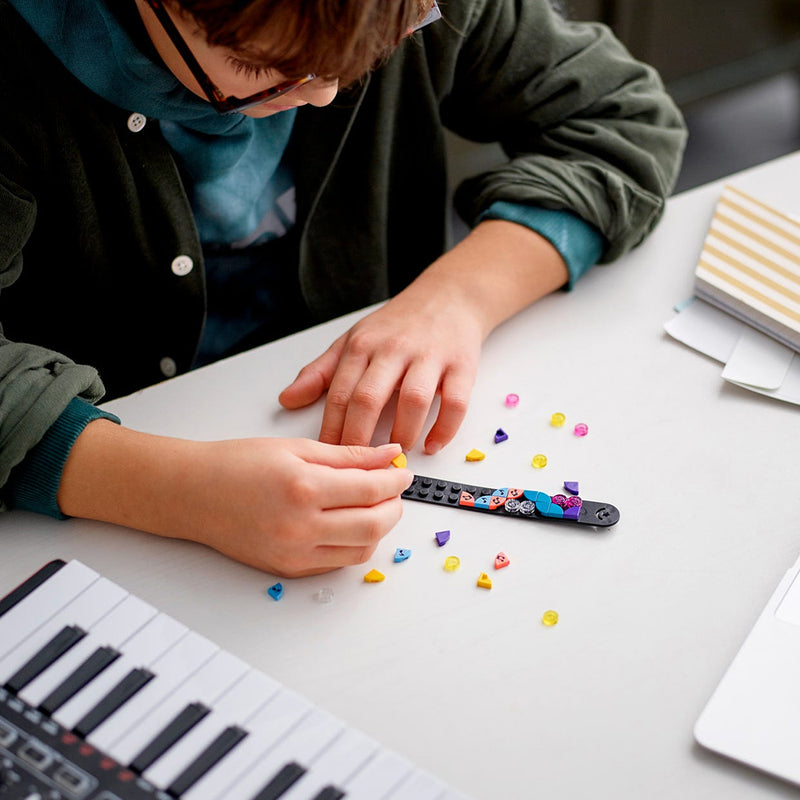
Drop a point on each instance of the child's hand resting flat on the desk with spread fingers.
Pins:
(418, 346)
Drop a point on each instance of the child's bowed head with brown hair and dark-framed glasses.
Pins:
(230, 50)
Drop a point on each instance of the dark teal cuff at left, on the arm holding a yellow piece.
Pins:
(33, 485)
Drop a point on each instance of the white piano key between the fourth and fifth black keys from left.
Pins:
(235, 707)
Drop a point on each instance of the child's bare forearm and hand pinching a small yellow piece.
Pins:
(288, 506)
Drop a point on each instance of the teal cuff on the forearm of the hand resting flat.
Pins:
(580, 244)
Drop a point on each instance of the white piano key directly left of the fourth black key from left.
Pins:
(206, 685)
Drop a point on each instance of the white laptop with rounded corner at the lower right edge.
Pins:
(754, 714)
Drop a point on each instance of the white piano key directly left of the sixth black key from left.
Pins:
(302, 744)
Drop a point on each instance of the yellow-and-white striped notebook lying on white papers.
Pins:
(750, 265)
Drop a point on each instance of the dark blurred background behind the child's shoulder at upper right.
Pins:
(733, 67)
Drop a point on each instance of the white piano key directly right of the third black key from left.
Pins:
(175, 666)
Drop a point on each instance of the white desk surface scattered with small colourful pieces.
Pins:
(468, 682)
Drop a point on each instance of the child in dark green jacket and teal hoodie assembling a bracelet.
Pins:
(180, 181)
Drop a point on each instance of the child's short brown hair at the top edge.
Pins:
(332, 38)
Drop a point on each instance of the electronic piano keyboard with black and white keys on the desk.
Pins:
(102, 697)
